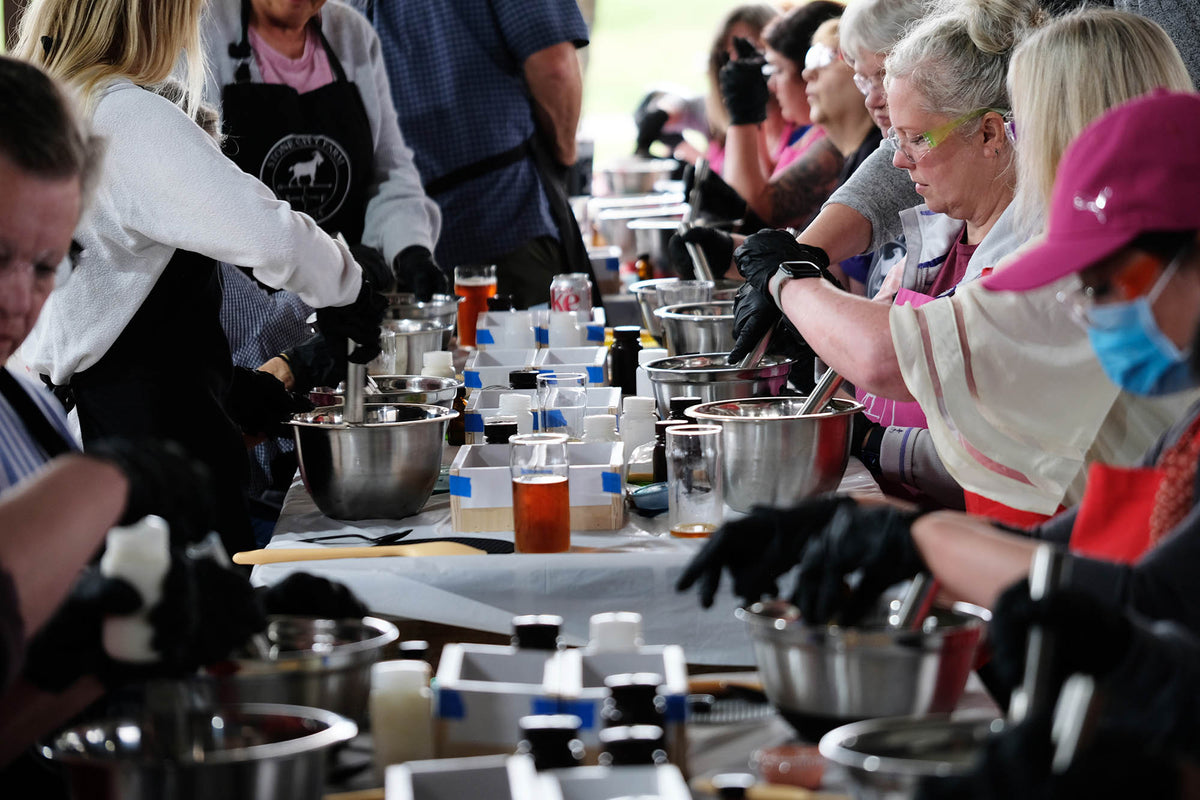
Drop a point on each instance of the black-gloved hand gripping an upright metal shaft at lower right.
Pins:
(1090, 637)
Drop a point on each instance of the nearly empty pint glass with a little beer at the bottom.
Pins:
(695, 486)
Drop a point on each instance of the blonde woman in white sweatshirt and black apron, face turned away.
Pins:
(135, 339)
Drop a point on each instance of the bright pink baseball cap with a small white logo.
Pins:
(1135, 171)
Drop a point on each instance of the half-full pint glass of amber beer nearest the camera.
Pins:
(542, 504)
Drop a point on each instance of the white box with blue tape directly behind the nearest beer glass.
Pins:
(482, 488)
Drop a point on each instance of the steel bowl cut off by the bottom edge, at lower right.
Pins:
(887, 759)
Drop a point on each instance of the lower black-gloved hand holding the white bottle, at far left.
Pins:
(69, 646)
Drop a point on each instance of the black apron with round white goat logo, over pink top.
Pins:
(314, 151)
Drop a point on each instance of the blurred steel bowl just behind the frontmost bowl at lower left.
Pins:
(316, 663)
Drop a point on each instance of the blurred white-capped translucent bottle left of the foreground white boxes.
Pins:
(401, 713)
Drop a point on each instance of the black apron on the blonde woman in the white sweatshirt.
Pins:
(167, 377)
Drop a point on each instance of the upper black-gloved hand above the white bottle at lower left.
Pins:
(164, 480)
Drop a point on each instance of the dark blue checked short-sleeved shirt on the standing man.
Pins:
(457, 77)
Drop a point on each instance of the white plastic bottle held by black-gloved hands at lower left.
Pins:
(140, 555)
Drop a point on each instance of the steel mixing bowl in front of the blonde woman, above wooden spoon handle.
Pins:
(383, 468)
